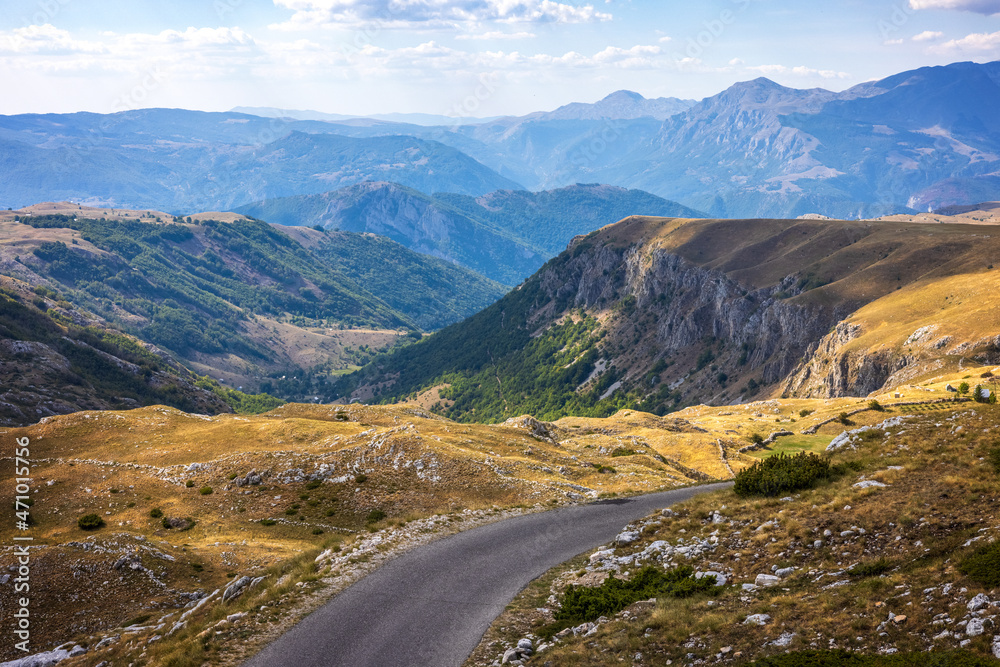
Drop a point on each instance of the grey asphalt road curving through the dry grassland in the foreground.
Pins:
(432, 605)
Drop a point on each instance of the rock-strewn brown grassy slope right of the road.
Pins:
(932, 513)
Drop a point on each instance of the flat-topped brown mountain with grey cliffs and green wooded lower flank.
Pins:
(656, 313)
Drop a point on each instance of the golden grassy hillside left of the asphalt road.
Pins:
(122, 465)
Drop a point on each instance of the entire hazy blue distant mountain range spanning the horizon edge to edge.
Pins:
(917, 140)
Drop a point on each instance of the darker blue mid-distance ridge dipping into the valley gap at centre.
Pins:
(505, 235)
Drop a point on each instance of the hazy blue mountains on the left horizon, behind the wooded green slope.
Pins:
(183, 161)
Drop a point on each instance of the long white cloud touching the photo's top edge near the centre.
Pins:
(310, 14)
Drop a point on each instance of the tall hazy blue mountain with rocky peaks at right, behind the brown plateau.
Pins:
(917, 140)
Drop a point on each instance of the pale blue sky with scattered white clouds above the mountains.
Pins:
(464, 58)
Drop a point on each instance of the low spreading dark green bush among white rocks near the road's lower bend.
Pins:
(585, 603)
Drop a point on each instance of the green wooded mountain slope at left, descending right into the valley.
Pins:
(242, 299)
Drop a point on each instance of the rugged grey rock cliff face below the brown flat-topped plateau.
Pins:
(656, 305)
